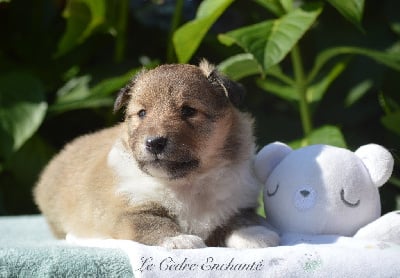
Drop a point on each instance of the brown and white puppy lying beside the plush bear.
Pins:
(176, 173)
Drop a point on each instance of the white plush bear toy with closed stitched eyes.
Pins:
(322, 189)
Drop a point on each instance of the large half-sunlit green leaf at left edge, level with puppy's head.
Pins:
(22, 110)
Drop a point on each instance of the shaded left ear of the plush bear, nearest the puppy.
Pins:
(268, 158)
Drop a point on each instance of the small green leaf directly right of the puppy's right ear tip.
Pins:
(240, 66)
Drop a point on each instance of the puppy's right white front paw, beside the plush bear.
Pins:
(252, 237)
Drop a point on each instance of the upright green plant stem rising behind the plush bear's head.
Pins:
(301, 88)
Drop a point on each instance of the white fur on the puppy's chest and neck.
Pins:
(200, 203)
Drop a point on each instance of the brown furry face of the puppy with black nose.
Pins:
(179, 119)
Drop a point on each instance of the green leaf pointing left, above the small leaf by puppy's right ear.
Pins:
(251, 38)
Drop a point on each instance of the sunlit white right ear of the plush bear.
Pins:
(378, 161)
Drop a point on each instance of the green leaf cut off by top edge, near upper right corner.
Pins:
(352, 10)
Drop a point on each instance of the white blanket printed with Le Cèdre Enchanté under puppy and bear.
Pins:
(298, 256)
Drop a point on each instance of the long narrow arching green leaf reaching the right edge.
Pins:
(391, 60)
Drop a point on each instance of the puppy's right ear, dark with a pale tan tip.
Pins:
(233, 90)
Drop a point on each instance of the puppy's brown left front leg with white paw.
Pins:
(152, 225)
